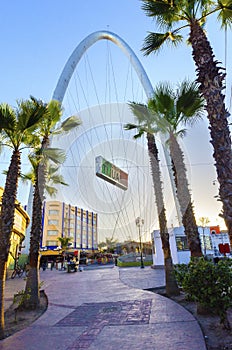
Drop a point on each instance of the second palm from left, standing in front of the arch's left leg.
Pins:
(42, 153)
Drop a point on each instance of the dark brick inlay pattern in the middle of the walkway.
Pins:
(95, 316)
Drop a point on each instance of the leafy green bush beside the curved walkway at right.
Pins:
(208, 284)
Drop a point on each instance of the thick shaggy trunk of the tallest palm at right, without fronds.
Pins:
(211, 82)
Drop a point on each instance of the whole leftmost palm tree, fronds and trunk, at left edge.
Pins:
(17, 128)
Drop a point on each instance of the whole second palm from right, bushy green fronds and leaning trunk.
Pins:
(172, 110)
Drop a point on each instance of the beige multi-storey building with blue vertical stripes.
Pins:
(64, 220)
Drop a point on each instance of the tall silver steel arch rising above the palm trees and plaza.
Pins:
(76, 56)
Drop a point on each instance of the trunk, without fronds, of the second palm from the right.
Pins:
(184, 198)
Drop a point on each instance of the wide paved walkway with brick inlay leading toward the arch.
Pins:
(106, 309)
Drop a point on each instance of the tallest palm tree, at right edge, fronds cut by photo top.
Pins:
(211, 79)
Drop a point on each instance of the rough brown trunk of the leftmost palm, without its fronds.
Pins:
(6, 225)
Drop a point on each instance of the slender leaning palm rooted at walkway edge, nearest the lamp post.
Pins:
(145, 118)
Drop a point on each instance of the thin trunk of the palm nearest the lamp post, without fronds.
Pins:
(171, 284)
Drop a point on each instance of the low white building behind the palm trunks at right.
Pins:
(212, 242)
